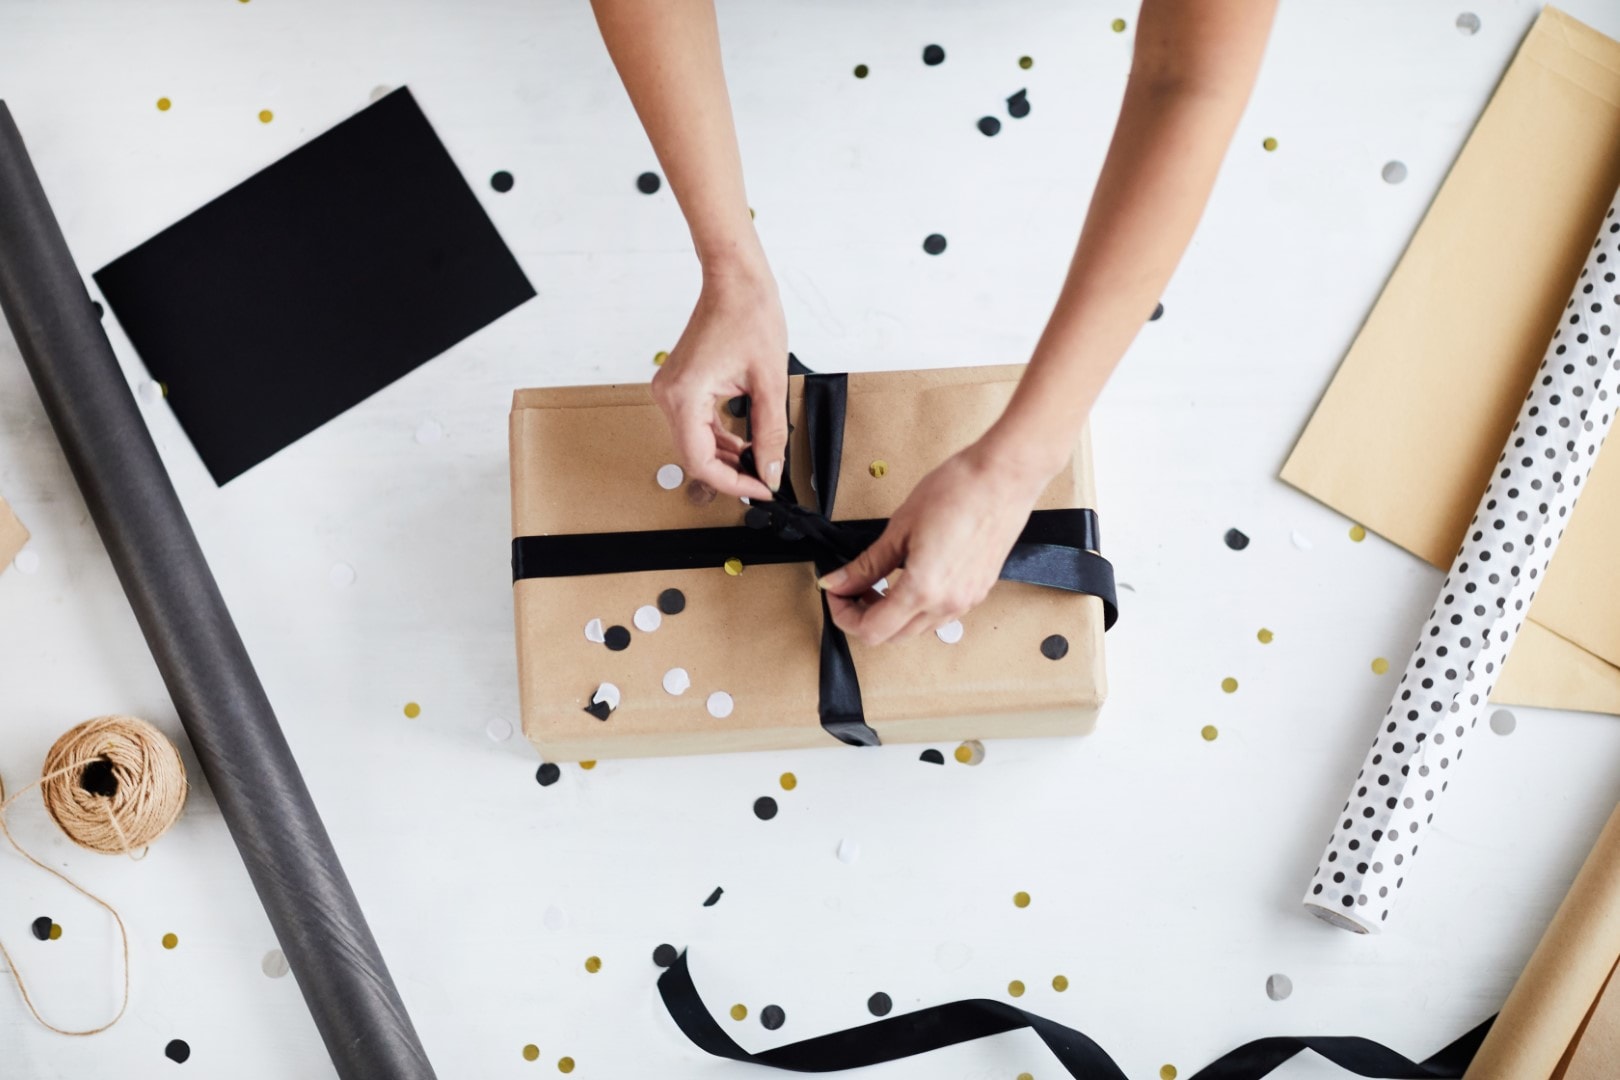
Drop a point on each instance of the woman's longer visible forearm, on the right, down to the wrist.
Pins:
(1195, 67)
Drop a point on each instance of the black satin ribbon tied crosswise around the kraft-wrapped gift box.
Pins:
(1057, 550)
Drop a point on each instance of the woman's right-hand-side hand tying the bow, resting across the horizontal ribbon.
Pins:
(952, 535)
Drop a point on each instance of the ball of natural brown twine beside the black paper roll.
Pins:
(114, 784)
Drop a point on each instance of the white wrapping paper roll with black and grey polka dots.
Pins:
(1483, 603)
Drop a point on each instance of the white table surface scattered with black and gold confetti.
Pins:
(1166, 870)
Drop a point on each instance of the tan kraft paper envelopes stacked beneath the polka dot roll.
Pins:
(1420, 410)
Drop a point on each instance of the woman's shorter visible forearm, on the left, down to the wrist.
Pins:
(668, 57)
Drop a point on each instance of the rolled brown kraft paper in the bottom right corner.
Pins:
(1564, 977)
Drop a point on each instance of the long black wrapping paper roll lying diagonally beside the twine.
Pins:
(192, 637)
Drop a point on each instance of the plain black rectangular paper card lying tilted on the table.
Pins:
(313, 284)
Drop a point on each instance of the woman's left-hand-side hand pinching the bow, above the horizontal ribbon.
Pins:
(736, 342)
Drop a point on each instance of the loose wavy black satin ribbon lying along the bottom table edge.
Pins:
(979, 1018)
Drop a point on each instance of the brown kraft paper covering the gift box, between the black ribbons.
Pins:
(584, 461)
